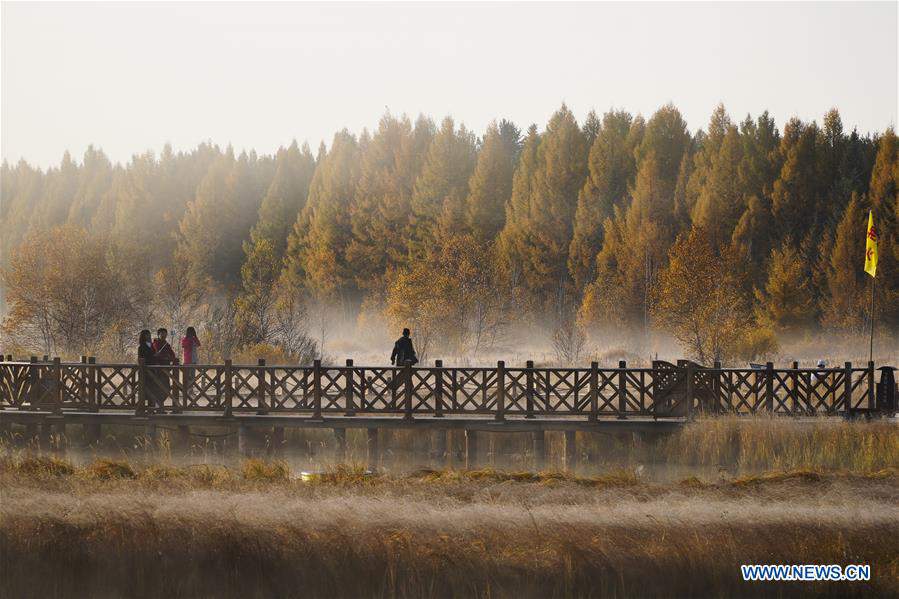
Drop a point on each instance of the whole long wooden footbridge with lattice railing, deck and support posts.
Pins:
(51, 393)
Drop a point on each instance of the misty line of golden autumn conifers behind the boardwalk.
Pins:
(735, 240)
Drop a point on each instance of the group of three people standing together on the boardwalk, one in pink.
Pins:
(159, 352)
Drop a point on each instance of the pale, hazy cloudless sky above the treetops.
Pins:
(131, 77)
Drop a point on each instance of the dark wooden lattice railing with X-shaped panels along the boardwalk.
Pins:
(664, 390)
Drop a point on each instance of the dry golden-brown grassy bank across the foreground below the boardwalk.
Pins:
(259, 529)
